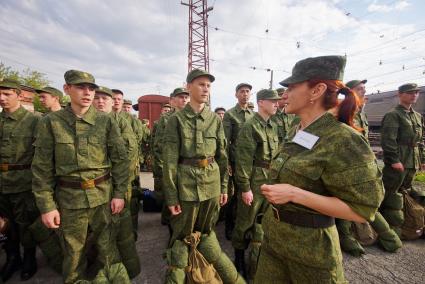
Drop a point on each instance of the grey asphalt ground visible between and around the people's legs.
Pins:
(376, 266)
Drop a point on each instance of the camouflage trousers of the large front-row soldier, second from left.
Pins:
(76, 225)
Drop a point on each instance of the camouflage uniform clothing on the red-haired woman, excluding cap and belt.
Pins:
(326, 169)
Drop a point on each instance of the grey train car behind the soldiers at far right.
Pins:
(379, 104)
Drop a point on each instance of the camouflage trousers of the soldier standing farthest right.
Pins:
(392, 205)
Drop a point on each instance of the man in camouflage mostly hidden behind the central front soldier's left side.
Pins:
(178, 99)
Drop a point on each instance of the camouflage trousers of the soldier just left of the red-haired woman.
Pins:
(246, 218)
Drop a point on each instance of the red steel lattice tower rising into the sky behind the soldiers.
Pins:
(198, 55)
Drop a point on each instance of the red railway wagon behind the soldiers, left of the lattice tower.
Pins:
(150, 107)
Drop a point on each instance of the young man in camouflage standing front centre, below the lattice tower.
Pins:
(195, 173)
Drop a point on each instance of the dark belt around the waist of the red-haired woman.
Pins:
(303, 219)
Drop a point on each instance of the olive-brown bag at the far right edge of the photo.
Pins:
(413, 226)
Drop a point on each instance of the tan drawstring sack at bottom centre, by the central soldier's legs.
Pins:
(199, 270)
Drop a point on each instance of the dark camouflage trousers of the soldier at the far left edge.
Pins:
(21, 210)
